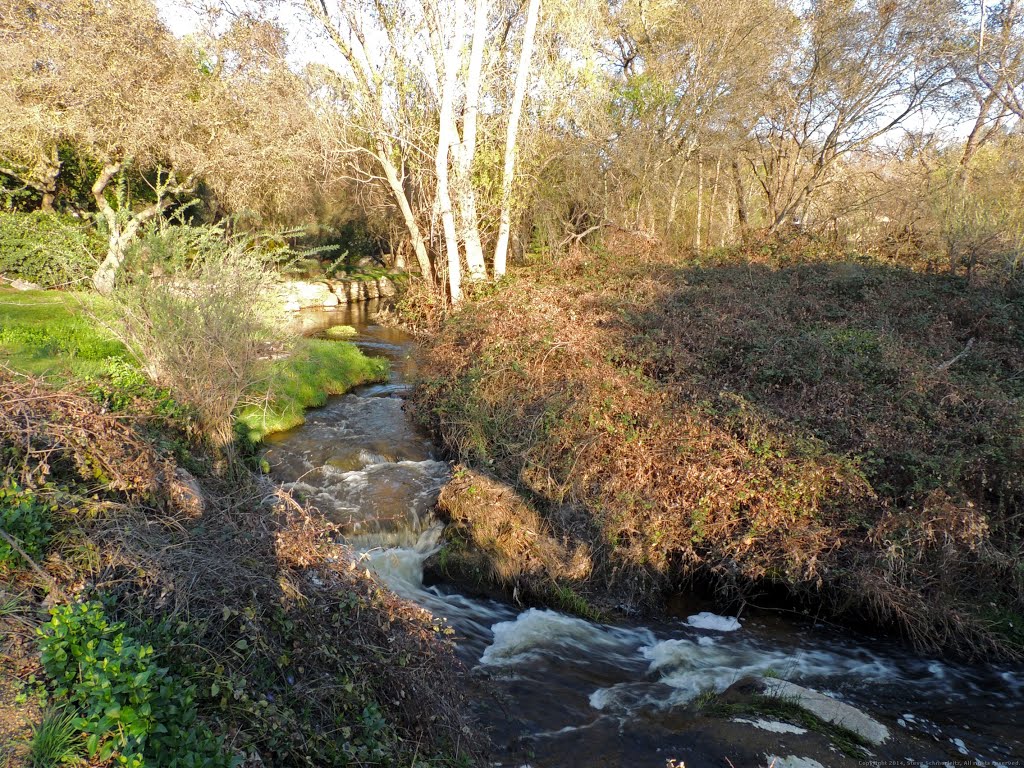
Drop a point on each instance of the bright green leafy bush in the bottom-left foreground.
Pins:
(132, 710)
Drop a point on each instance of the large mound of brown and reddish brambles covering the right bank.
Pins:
(769, 420)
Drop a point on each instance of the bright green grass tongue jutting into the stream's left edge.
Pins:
(318, 370)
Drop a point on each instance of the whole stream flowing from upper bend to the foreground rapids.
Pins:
(572, 693)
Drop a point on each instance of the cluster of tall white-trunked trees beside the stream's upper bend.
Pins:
(410, 81)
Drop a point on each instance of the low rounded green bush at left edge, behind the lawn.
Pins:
(51, 249)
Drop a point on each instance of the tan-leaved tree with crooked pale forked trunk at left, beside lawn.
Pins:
(109, 79)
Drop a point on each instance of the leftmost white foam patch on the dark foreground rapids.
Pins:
(538, 631)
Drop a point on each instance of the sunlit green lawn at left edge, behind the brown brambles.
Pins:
(57, 335)
